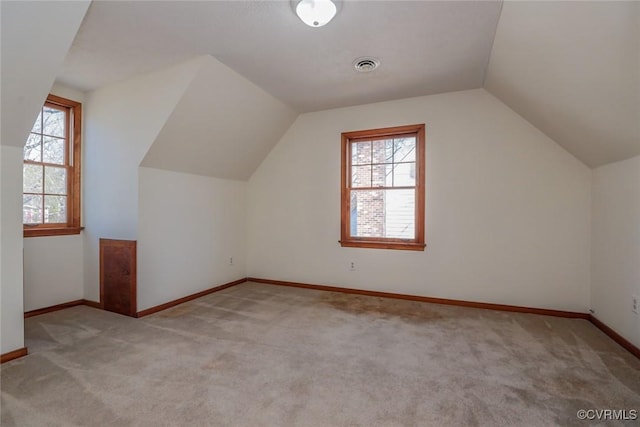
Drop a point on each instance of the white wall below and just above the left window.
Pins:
(53, 266)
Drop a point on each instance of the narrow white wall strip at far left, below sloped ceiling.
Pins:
(11, 317)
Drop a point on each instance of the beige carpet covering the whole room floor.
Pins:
(261, 355)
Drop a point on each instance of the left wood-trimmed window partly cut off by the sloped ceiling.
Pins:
(51, 170)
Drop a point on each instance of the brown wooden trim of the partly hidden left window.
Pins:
(73, 225)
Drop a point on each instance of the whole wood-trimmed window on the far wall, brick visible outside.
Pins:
(383, 174)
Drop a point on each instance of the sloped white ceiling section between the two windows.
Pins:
(223, 126)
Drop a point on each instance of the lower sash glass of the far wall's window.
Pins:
(383, 213)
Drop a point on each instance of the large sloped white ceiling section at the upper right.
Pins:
(572, 69)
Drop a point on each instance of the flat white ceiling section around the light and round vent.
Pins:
(425, 47)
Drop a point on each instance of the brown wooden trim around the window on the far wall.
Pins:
(346, 240)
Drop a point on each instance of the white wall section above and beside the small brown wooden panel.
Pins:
(121, 122)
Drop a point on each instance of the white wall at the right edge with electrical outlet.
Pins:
(615, 272)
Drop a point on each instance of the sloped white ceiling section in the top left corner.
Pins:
(36, 36)
